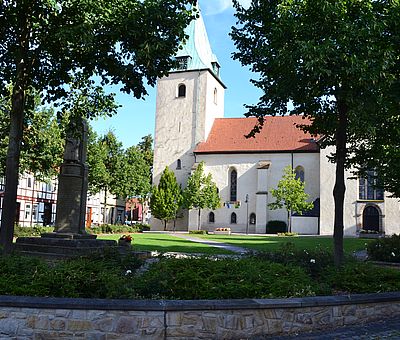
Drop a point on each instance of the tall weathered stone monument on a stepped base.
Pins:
(69, 237)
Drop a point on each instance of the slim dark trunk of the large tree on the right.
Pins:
(340, 187)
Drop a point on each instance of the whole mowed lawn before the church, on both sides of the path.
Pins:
(167, 243)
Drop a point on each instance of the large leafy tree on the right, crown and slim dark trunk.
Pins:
(335, 61)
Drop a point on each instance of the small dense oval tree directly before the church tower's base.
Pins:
(166, 198)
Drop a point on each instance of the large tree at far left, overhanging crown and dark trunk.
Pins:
(120, 41)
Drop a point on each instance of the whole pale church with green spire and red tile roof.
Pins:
(191, 128)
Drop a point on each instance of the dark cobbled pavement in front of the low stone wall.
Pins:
(385, 329)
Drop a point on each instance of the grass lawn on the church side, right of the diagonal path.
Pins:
(265, 243)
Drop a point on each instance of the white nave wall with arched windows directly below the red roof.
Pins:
(248, 183)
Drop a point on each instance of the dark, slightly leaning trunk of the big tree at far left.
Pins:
(15, 136)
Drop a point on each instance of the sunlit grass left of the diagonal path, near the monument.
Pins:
(166, 243)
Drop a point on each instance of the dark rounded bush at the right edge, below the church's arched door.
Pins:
(385, 249)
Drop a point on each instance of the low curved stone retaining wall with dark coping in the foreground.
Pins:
(59, 318)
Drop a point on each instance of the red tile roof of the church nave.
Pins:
(279, 134)
